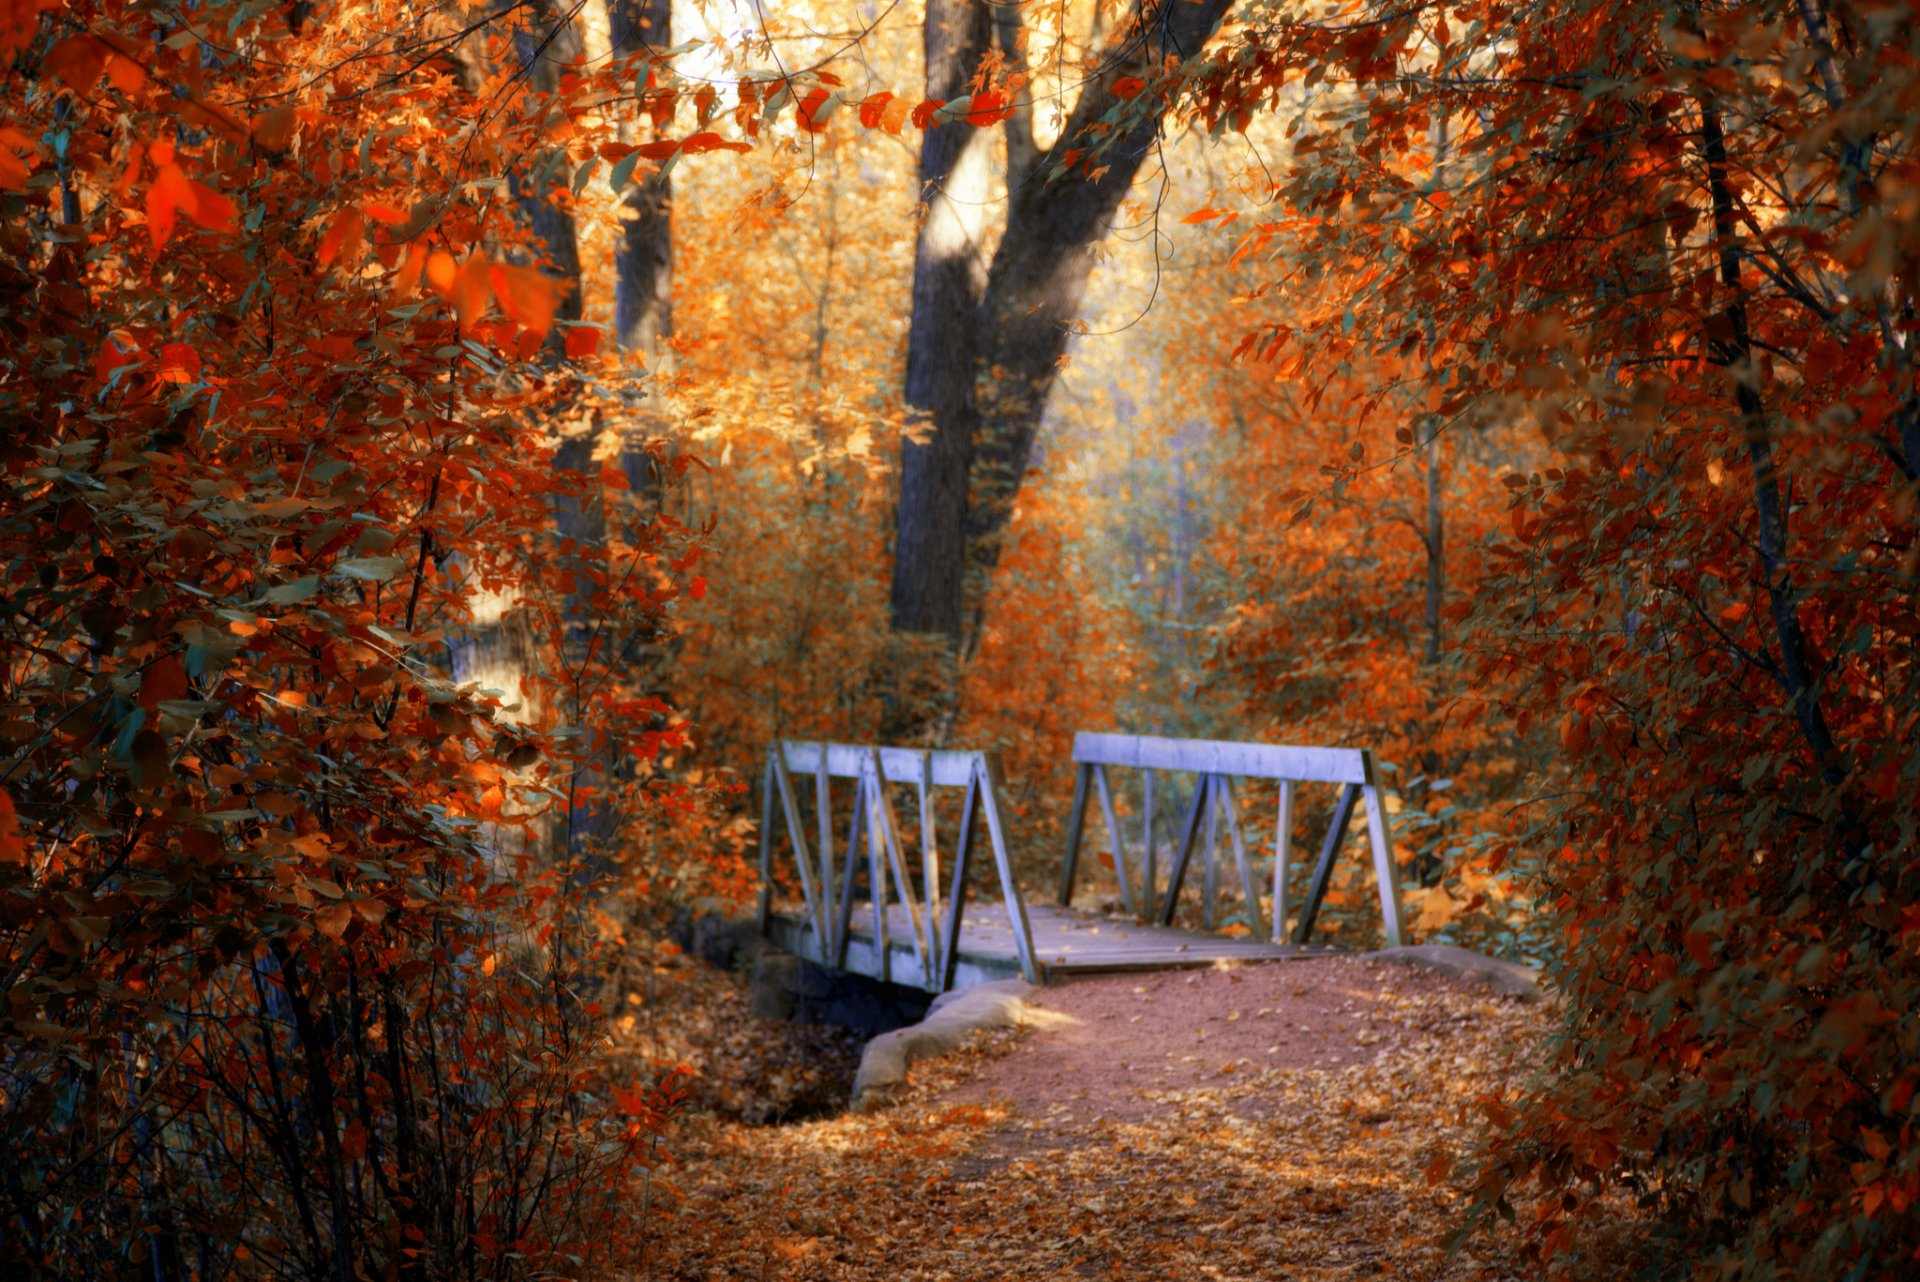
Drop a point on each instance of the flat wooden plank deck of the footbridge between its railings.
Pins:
(1065, 943)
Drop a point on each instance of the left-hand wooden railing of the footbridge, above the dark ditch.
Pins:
(828, 882)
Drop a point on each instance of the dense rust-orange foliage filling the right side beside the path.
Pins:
(1679, 243)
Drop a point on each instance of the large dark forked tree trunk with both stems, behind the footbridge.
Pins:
(1020, 325)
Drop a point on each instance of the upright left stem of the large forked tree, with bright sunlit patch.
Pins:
(942, 344)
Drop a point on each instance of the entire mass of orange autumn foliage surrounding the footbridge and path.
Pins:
(343, 655)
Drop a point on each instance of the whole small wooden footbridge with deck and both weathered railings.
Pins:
(909, 924)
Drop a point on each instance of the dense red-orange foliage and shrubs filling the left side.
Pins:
(293, 985)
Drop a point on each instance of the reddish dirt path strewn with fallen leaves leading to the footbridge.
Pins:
(1270, 1122)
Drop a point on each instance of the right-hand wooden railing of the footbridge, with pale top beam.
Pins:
(1214, 805)
